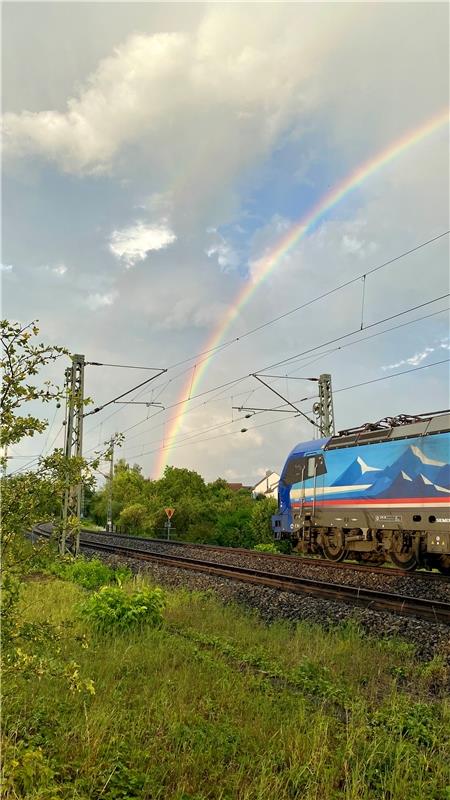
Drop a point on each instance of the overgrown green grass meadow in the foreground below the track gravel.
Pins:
(215, 705)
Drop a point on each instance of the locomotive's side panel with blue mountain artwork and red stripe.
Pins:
(395, 484)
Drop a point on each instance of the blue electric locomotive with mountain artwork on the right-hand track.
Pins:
(377, 492)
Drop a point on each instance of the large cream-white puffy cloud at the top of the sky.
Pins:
(244, 88)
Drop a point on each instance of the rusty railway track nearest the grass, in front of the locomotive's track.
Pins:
(431, 610)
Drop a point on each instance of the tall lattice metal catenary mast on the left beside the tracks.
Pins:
(69, 541)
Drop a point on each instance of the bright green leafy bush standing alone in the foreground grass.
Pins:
(112, 609)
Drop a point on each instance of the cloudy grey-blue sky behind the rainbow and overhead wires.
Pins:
(154, 155)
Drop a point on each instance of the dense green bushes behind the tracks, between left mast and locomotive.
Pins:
(204, 512)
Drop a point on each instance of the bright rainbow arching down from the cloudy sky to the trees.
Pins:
(271, 260)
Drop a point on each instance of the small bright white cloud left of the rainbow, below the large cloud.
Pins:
(133, 244)
